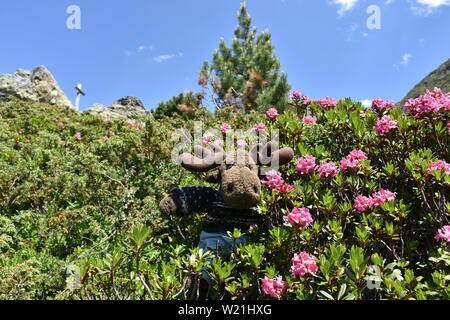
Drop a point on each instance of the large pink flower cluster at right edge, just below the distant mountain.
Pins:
(431, 102)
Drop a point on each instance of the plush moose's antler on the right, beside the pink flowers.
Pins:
(269, 154)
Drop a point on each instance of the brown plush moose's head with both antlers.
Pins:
(237, 171)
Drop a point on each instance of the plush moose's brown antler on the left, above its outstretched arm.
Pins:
(204, 159)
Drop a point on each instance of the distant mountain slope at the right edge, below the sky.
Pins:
(439, 78)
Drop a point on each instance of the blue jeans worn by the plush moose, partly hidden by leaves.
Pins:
(217, 241)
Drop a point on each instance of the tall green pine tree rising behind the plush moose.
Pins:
(247, 74)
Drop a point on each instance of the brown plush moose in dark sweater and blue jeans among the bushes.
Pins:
(233, 204)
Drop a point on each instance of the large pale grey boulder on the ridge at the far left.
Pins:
(37, 85)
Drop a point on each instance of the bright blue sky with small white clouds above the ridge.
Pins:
(153, 49)
